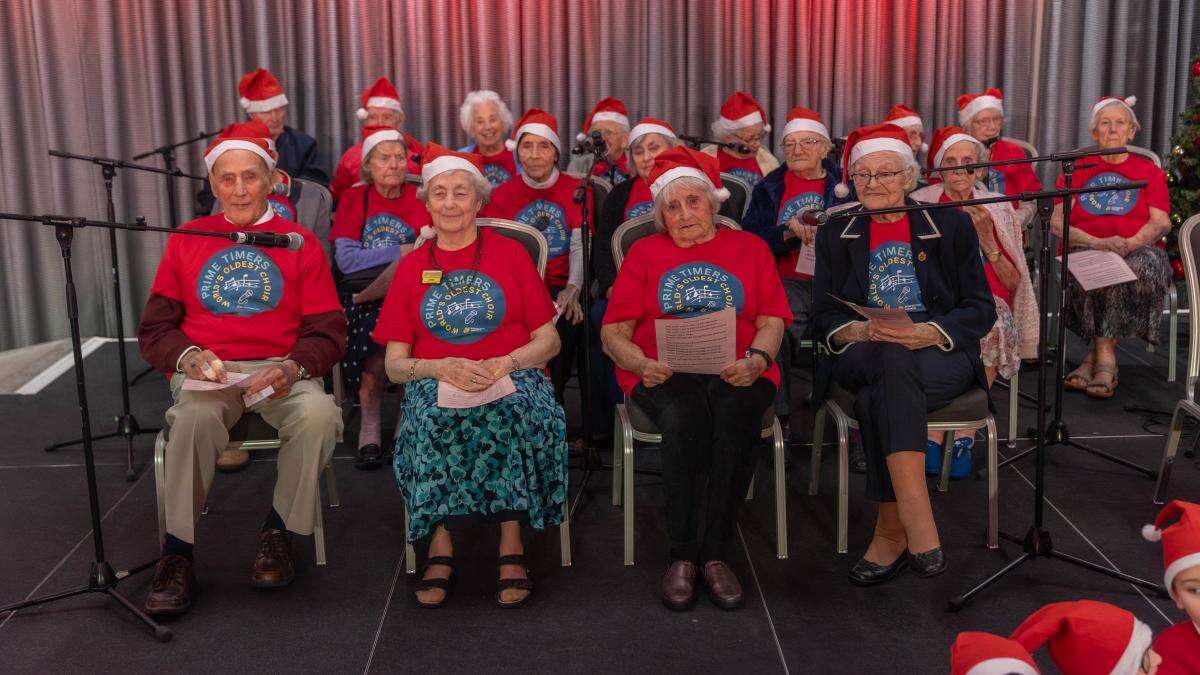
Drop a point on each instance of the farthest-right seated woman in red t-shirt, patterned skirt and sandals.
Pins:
(1127, 223)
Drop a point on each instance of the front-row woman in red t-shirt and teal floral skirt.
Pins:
(469, 328)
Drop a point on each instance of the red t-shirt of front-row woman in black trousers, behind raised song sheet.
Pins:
(661, 280)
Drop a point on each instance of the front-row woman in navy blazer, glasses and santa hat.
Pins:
(927, 264)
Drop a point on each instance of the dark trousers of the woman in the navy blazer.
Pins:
(896, 389)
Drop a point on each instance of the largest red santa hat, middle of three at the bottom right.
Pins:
(1088, 637)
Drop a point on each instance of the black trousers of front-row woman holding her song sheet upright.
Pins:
(709, 428)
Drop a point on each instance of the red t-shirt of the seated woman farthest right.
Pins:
(1118, 213)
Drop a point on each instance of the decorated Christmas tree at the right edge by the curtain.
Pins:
(1184, 168)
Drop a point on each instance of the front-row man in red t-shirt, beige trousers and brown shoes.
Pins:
(260, 322)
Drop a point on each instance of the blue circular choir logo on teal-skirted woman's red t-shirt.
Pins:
(465, 308)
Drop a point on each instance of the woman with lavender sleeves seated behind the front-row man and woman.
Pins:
(377, 223)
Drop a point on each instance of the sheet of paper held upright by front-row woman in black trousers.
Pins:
(700, 344)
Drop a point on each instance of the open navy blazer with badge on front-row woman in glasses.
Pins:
(946, 259)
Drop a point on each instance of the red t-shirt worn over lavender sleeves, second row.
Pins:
(383, 223)
